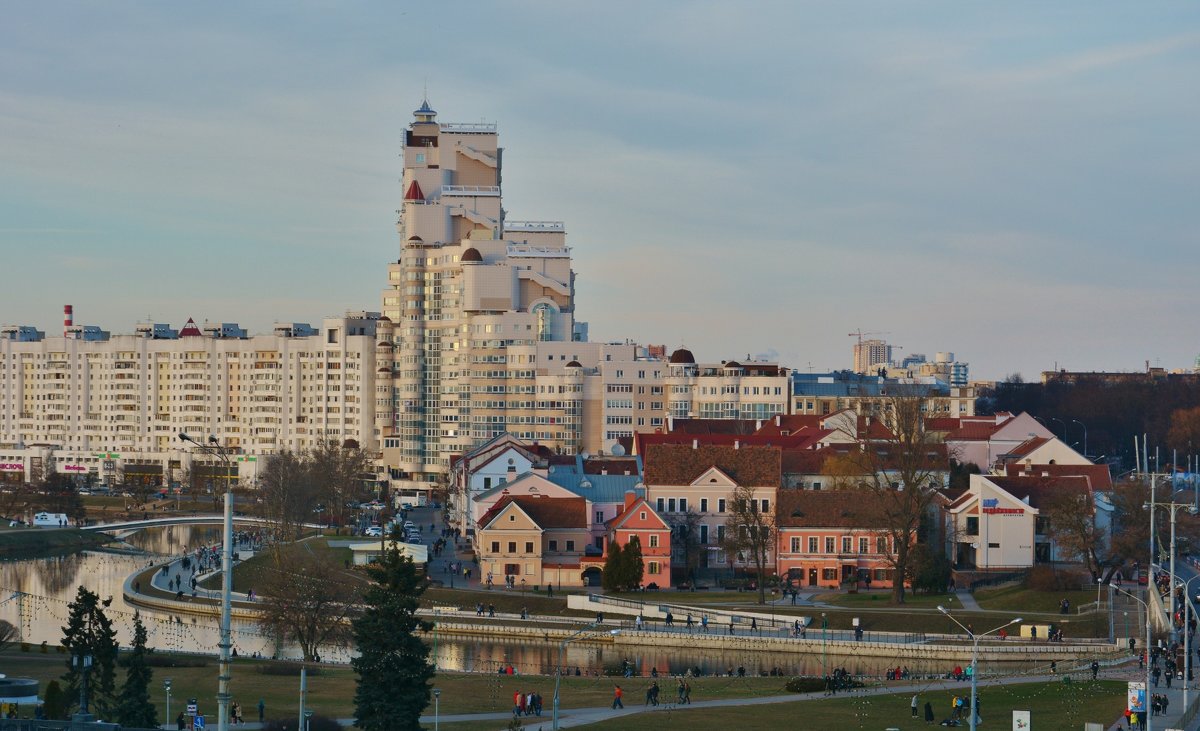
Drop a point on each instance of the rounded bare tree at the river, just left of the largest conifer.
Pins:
(309, 600)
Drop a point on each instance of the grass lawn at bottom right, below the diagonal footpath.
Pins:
(1054, 708)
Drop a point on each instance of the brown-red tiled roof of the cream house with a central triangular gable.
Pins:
(681, 465)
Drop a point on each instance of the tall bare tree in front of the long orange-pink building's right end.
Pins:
(902, 468)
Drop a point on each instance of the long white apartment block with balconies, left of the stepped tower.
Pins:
(115, 406)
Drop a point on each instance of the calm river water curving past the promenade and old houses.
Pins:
(35, 594)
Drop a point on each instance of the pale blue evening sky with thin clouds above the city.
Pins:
(1016, 183)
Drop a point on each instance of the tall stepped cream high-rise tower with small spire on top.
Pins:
(470, 285)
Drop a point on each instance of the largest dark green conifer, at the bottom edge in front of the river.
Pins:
(393, 668)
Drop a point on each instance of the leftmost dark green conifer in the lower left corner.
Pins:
(89, 632)
